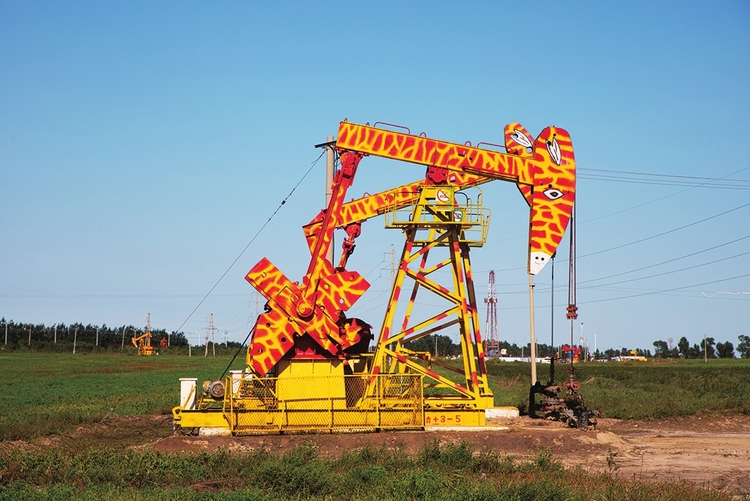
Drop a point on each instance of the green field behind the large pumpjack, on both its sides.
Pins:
(50, 393)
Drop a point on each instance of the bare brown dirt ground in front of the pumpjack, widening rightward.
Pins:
(706, 451)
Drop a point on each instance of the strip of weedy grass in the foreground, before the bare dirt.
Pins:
(436, 472)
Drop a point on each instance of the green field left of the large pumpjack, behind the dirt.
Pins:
(51, 393)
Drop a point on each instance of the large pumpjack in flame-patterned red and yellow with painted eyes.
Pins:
(309, 366)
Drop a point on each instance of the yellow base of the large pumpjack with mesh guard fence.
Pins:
(305, 400)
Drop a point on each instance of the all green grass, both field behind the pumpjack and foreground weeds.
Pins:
(50, 395)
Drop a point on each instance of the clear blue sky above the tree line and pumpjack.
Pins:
(143, 146)
